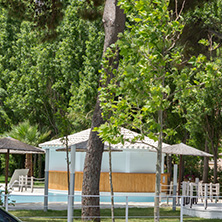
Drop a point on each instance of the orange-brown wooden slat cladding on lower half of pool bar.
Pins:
(122, 182)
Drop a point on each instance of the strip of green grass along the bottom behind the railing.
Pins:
(60, 216)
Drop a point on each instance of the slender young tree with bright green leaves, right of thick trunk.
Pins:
(140, 91)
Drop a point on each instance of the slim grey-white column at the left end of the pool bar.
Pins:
(46, 190)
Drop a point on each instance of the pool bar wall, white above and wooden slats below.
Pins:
(133, 171)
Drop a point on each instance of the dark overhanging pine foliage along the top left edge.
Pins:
(46, 15)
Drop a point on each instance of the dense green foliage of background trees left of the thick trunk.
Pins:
(42, 81)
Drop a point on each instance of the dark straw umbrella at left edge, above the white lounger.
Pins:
(10, 145)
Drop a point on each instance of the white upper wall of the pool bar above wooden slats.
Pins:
(129, 161)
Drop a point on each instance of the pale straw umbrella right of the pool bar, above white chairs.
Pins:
(182, 149)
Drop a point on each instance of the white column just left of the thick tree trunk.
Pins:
(72, 184)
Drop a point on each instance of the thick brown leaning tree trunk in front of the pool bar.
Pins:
(114, 23)
